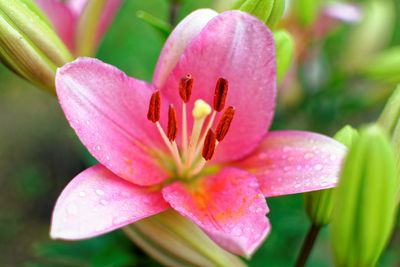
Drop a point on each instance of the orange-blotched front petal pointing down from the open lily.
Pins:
(228, 206)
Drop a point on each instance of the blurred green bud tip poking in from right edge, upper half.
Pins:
(385, 66)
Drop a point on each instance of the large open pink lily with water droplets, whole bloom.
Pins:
(221, 67)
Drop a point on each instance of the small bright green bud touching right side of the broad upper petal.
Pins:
(284, 52)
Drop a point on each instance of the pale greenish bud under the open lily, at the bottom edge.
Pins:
(175, 241)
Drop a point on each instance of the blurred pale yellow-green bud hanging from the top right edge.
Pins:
(370, 35)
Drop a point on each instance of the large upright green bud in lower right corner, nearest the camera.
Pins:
(365, 201)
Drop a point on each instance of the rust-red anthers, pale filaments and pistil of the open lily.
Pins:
(198, 147)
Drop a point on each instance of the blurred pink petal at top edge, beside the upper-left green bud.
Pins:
(62, 19)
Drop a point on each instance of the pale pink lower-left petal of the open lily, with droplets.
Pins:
(97, 201)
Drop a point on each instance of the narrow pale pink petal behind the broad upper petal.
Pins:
(181, 36)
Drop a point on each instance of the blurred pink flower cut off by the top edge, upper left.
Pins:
(65, 17)
